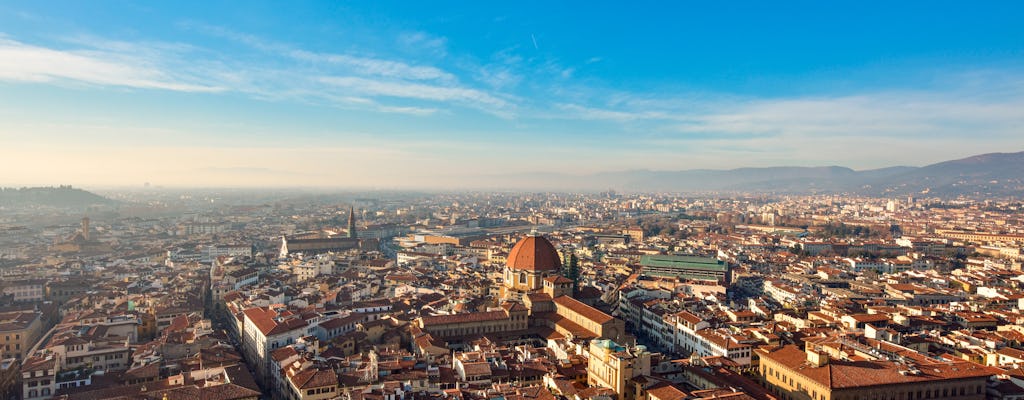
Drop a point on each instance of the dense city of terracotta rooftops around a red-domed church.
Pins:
(514, 297)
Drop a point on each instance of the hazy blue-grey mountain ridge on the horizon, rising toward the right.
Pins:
(988, 175)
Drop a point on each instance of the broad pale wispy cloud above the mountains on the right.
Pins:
(951, 110)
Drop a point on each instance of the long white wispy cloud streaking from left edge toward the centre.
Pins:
(279, 73)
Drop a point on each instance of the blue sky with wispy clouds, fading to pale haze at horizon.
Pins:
(430, 95)
